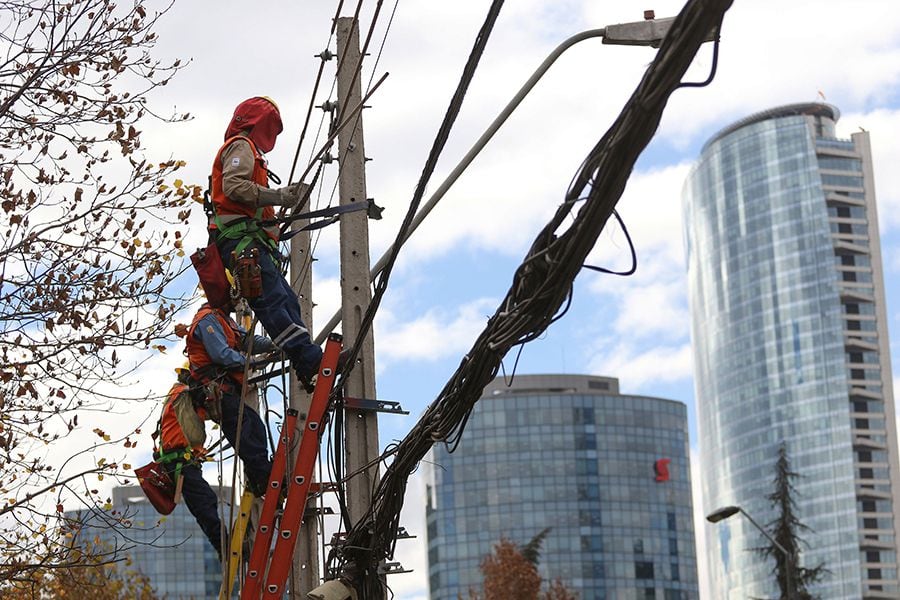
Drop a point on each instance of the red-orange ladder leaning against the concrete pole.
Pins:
(297, 488)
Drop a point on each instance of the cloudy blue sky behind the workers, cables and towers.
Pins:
(456, 268)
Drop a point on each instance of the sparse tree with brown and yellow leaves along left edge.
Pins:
(89, 242)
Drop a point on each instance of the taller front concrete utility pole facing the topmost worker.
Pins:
(361, 439)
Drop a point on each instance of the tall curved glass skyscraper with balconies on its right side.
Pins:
(791, 345)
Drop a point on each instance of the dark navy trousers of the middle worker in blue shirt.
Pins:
(253, 450)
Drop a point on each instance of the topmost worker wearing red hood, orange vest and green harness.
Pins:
(241, 198)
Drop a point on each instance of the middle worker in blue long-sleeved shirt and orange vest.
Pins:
(214, 344)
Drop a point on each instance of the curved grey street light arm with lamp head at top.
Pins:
(648, 32)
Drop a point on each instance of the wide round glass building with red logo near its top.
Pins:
(608, 473)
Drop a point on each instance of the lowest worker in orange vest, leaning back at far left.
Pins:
(181, 451)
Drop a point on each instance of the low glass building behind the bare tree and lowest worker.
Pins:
(170, 550)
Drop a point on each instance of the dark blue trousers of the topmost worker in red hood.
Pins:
(278, 309)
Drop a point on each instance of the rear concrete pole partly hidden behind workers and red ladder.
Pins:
(305, 572)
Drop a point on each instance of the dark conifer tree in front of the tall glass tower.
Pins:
(786, 529)
